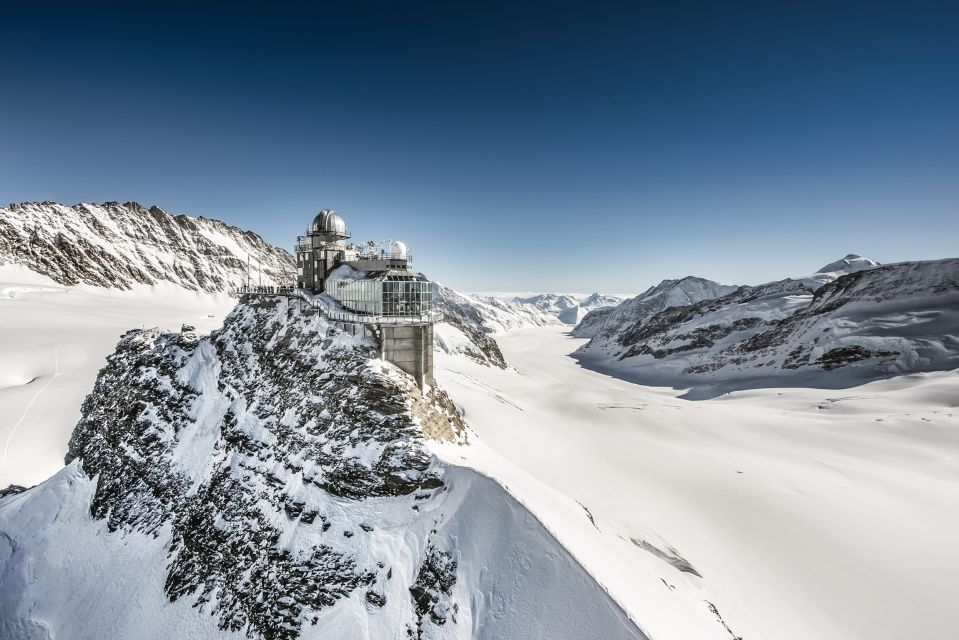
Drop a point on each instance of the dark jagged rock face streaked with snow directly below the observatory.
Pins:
(233, 441)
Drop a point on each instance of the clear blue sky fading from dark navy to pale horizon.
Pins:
(572, 147)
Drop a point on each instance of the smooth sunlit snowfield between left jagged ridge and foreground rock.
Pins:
(54, 339)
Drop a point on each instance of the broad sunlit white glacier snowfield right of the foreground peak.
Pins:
(807, 513)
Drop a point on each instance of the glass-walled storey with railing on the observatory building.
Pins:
(384, 295)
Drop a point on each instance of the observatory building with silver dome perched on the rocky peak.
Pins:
(373, 286)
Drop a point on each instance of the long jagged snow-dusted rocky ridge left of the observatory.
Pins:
(122, 245)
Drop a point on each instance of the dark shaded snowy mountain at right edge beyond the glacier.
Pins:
(852, 321)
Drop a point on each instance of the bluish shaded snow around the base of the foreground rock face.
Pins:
(111, 584)
